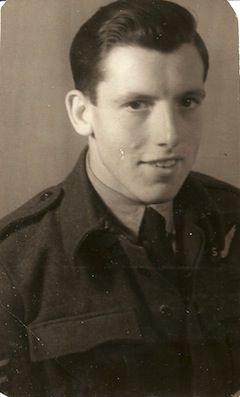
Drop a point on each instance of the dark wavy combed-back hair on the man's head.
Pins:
(156, 24)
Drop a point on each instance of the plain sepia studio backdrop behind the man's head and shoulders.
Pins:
(39, 147)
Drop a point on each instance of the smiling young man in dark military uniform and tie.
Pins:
(124, 279)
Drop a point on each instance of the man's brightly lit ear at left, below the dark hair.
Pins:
(78, 108)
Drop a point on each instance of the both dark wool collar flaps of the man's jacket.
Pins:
(82, 211)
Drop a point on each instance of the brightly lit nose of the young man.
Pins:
(164, 126)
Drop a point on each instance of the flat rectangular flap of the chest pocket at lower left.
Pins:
(70, 335)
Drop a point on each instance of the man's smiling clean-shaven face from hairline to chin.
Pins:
(147, 121)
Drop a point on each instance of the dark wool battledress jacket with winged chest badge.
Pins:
(83, 311)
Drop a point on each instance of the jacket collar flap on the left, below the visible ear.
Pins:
(82, 211)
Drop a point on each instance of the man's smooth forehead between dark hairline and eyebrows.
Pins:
(137, 69)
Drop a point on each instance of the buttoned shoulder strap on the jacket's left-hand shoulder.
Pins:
(31, 212)
